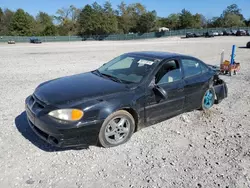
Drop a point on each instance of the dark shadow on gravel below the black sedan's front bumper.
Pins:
(23, 127)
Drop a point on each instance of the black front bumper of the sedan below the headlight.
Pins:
(61, 135)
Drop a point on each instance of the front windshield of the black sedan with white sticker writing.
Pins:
(130, 69)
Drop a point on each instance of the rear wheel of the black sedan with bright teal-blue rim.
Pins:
(208, 99)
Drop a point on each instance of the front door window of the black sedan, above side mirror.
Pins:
(169, 72)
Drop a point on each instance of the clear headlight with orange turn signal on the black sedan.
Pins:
(67, 114)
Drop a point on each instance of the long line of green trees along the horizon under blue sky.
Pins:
(96, 19)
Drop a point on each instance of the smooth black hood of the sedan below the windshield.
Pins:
(77, 87)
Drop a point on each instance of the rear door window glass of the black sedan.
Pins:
(191, 67)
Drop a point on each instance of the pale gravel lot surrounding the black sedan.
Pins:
(195, 149)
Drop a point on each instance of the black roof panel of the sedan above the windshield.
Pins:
(156, 54)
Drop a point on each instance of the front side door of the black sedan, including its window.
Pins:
(169, 77)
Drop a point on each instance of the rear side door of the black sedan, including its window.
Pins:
(194, 82)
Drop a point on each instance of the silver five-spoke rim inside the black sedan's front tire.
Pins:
(117, 130)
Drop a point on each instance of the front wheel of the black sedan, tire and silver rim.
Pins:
(116, 129)
